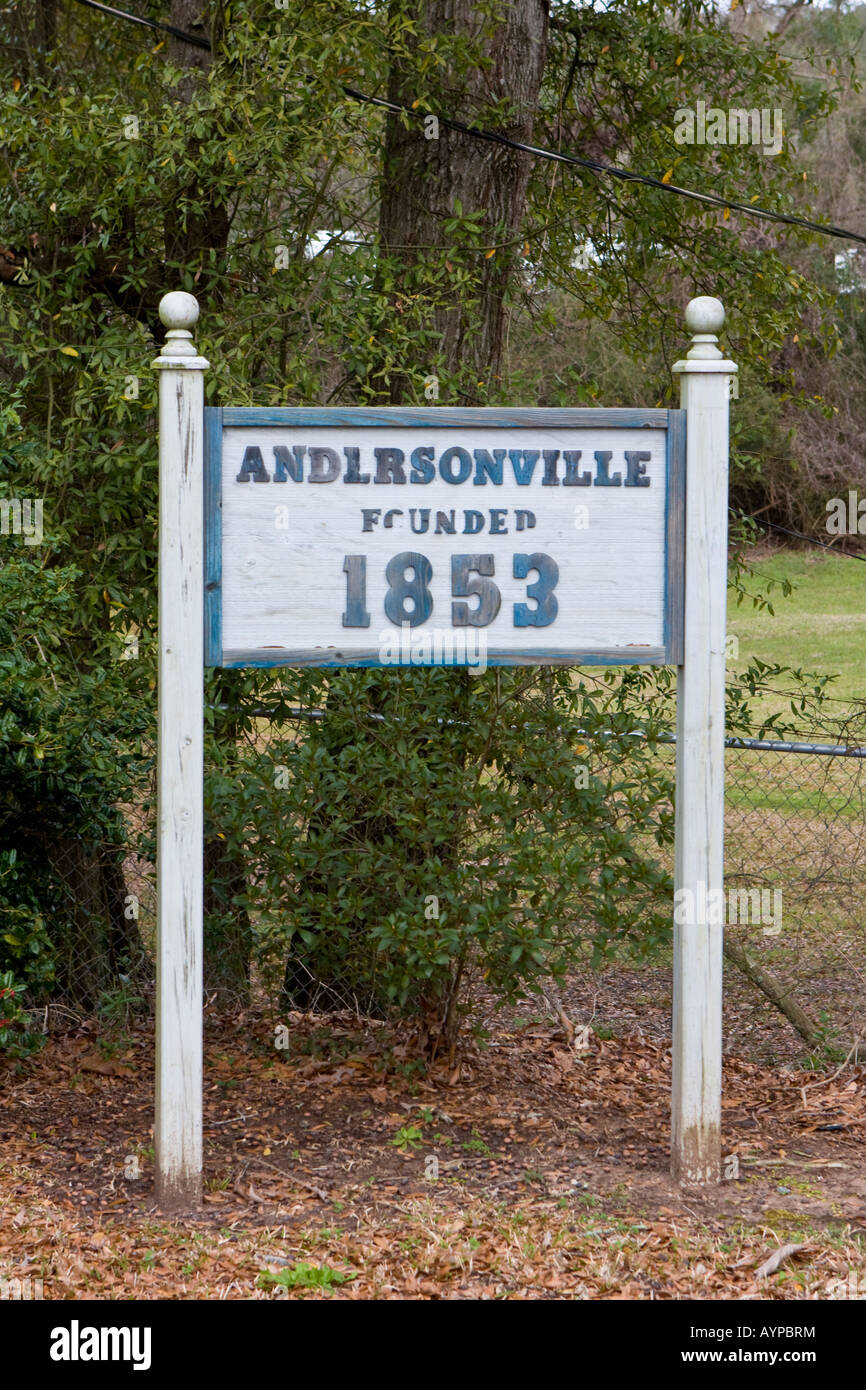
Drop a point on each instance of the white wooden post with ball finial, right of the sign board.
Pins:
(700, 822)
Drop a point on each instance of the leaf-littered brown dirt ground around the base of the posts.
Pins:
(340, 1168)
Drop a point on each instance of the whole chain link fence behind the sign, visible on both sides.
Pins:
(796, 886)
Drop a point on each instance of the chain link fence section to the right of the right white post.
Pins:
(796, 835)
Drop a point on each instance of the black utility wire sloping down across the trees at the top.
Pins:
(539, 152)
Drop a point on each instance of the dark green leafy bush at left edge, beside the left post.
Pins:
(72, 751)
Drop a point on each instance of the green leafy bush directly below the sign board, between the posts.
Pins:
(439, 829)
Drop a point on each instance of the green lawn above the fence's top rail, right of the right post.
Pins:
(821, 628)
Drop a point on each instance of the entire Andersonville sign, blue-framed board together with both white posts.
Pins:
(455, 537)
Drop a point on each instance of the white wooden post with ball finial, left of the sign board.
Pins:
(180, 836)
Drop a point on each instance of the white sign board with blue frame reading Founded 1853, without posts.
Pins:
(444, 537)
